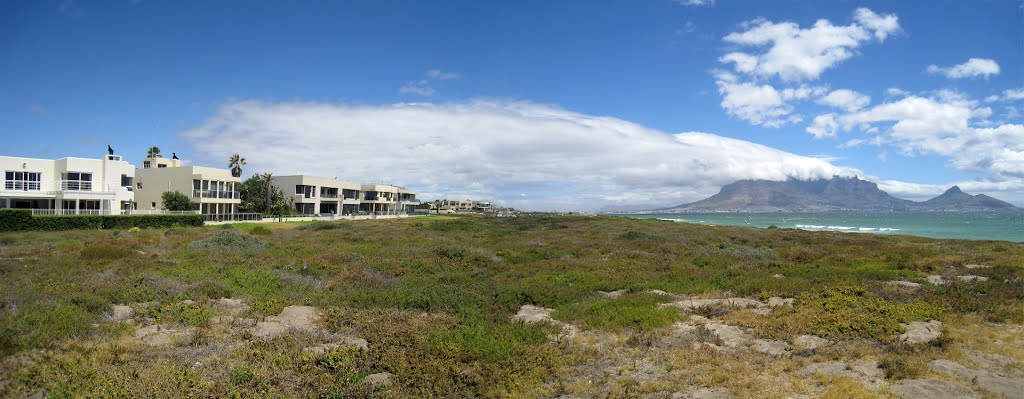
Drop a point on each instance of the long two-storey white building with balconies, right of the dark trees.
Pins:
(320, 196)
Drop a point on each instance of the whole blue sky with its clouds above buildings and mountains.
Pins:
(569, 105)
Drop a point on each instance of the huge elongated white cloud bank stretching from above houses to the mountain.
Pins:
(495, 150)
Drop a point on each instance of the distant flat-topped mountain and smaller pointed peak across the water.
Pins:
(838, 194)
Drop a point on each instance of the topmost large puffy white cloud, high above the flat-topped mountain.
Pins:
(793, 54)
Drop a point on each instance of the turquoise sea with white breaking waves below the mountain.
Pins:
(1008, 227)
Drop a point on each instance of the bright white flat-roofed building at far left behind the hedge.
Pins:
(68, 186)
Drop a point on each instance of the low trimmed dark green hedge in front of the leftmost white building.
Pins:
(22, 219)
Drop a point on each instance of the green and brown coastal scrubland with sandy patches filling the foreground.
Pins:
(572, 307)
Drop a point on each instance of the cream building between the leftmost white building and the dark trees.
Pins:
(214, 191)
